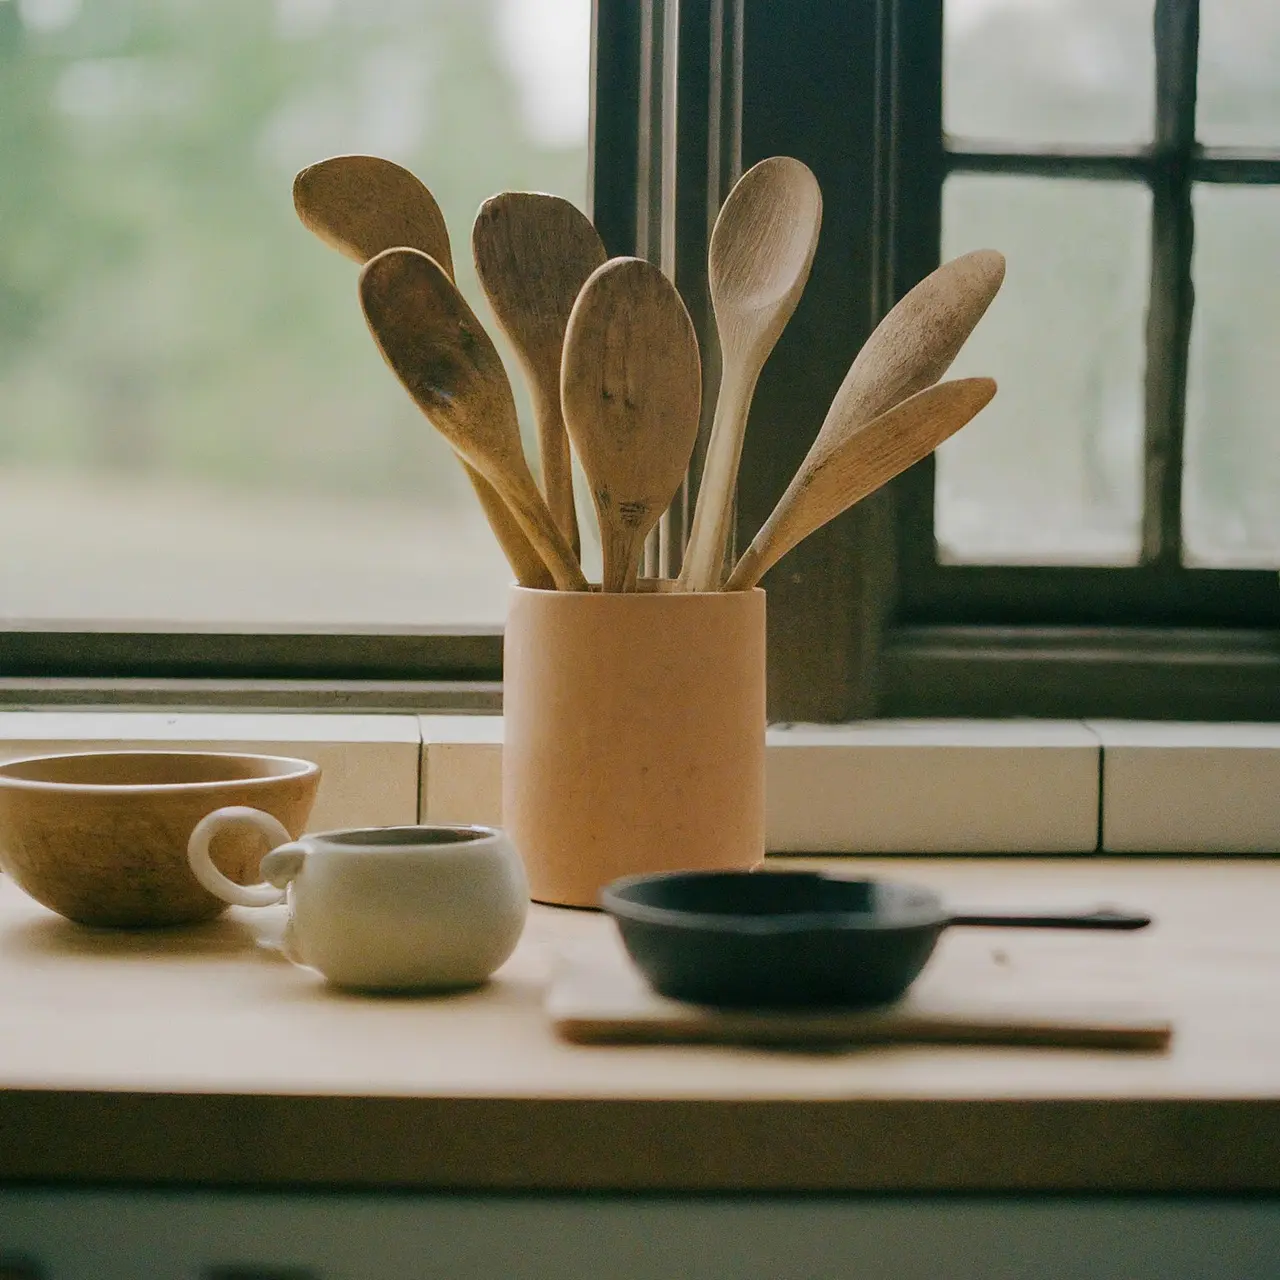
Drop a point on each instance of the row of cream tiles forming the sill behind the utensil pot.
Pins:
(876, 788)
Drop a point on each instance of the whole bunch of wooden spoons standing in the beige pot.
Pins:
(614, 365)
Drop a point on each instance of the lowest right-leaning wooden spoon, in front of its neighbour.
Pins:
(851, 460)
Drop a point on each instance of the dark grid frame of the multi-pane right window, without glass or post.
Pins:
(1156, 641)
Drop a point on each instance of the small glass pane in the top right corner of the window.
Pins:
(1238, 97)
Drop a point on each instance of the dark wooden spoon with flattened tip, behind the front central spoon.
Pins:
(533, 254)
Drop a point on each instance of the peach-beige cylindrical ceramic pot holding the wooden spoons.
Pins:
(634, 735)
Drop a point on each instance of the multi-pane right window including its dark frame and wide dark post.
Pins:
(994, 579)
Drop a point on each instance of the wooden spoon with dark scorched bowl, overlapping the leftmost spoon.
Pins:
(449, 364)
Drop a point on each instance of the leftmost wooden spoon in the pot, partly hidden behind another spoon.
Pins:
(362, 205)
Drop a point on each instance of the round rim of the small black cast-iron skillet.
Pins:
(616, 904)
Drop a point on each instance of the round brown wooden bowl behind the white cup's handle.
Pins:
(102, 836)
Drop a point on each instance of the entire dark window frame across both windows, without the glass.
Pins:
(862, 619)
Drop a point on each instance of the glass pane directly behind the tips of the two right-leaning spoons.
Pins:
(1052, 470)
